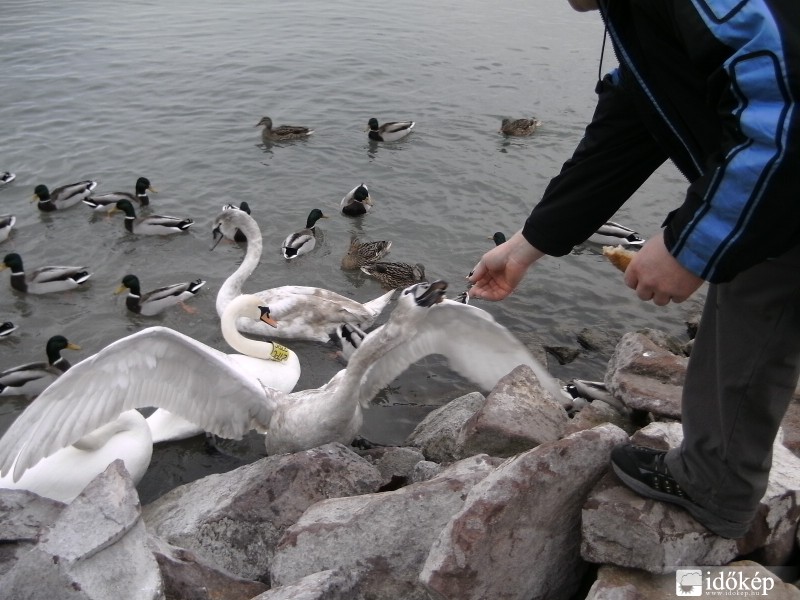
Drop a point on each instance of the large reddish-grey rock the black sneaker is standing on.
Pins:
(622, 528)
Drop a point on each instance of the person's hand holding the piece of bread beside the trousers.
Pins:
(656, 275)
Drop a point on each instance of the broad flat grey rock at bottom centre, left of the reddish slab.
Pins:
(383, 538)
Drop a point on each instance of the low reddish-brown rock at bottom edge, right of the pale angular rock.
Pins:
(187, 576)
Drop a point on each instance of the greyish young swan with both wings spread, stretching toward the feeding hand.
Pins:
(423, 323)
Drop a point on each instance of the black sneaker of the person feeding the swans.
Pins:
(643, 470)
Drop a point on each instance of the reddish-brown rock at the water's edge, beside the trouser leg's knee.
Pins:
(646, 377)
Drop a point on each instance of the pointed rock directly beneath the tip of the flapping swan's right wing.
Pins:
(518, 415)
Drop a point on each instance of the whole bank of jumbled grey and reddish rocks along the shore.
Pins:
(503, 496)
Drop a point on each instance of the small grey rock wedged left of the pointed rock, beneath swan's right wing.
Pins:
(436, 434)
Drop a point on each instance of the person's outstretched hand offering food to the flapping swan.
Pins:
(501, 269)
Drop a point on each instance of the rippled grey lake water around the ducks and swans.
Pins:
(172, 91)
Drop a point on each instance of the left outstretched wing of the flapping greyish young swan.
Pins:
(154, 367)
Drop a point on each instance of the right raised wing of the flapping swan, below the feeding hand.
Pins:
(475, 345)
